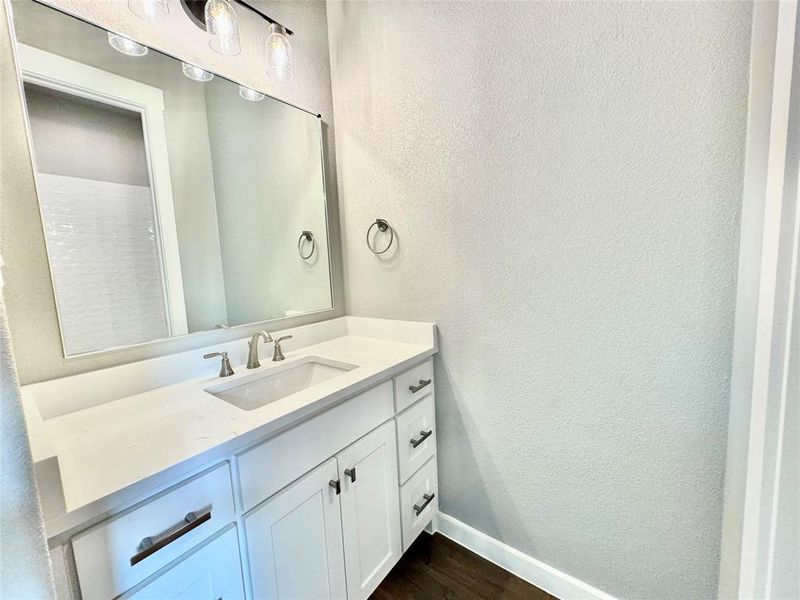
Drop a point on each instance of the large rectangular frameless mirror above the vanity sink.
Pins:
(173, 201)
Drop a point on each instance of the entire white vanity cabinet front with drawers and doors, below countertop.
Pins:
(323, 509)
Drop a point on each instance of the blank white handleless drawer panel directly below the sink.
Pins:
(274, 464)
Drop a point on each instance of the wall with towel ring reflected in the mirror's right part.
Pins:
(268, 187)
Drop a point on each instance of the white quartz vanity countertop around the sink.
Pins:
(108, 447)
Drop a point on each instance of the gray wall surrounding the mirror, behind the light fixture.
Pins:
(28, 291)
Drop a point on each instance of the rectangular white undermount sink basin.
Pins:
(260, 389)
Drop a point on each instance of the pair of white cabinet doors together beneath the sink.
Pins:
(335, 533)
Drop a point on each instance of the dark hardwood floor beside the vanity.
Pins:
(436, 568)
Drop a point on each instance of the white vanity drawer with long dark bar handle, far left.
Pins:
(104, 554)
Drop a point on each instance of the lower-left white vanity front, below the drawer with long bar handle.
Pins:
(212, 572)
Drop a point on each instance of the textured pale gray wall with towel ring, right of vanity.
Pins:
(565, 180)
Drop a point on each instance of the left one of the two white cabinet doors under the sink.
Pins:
(294, 540)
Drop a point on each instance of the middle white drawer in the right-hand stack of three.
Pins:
(416, 437)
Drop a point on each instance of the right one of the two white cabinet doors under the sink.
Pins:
(370, 510)
